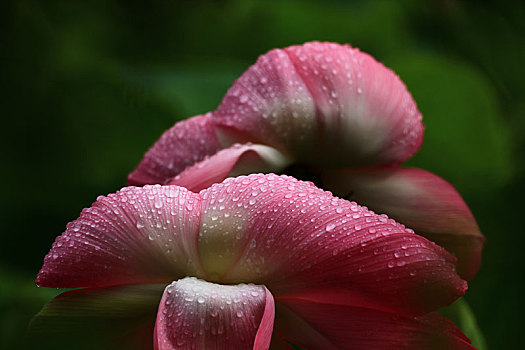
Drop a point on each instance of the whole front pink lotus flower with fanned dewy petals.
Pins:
(252, 262)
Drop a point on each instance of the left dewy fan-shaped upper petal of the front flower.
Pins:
(139, 234)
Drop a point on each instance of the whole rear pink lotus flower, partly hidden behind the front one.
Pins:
(330, 112)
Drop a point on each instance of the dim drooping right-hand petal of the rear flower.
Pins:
(421, 200)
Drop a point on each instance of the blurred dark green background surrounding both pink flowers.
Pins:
(87, 87)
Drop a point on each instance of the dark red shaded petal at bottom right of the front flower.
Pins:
(328, 326)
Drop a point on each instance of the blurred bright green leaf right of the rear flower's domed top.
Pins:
(466, 138)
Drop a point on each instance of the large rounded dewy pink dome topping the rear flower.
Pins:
(325, 103)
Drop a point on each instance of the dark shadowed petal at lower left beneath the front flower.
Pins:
(120, 317)
